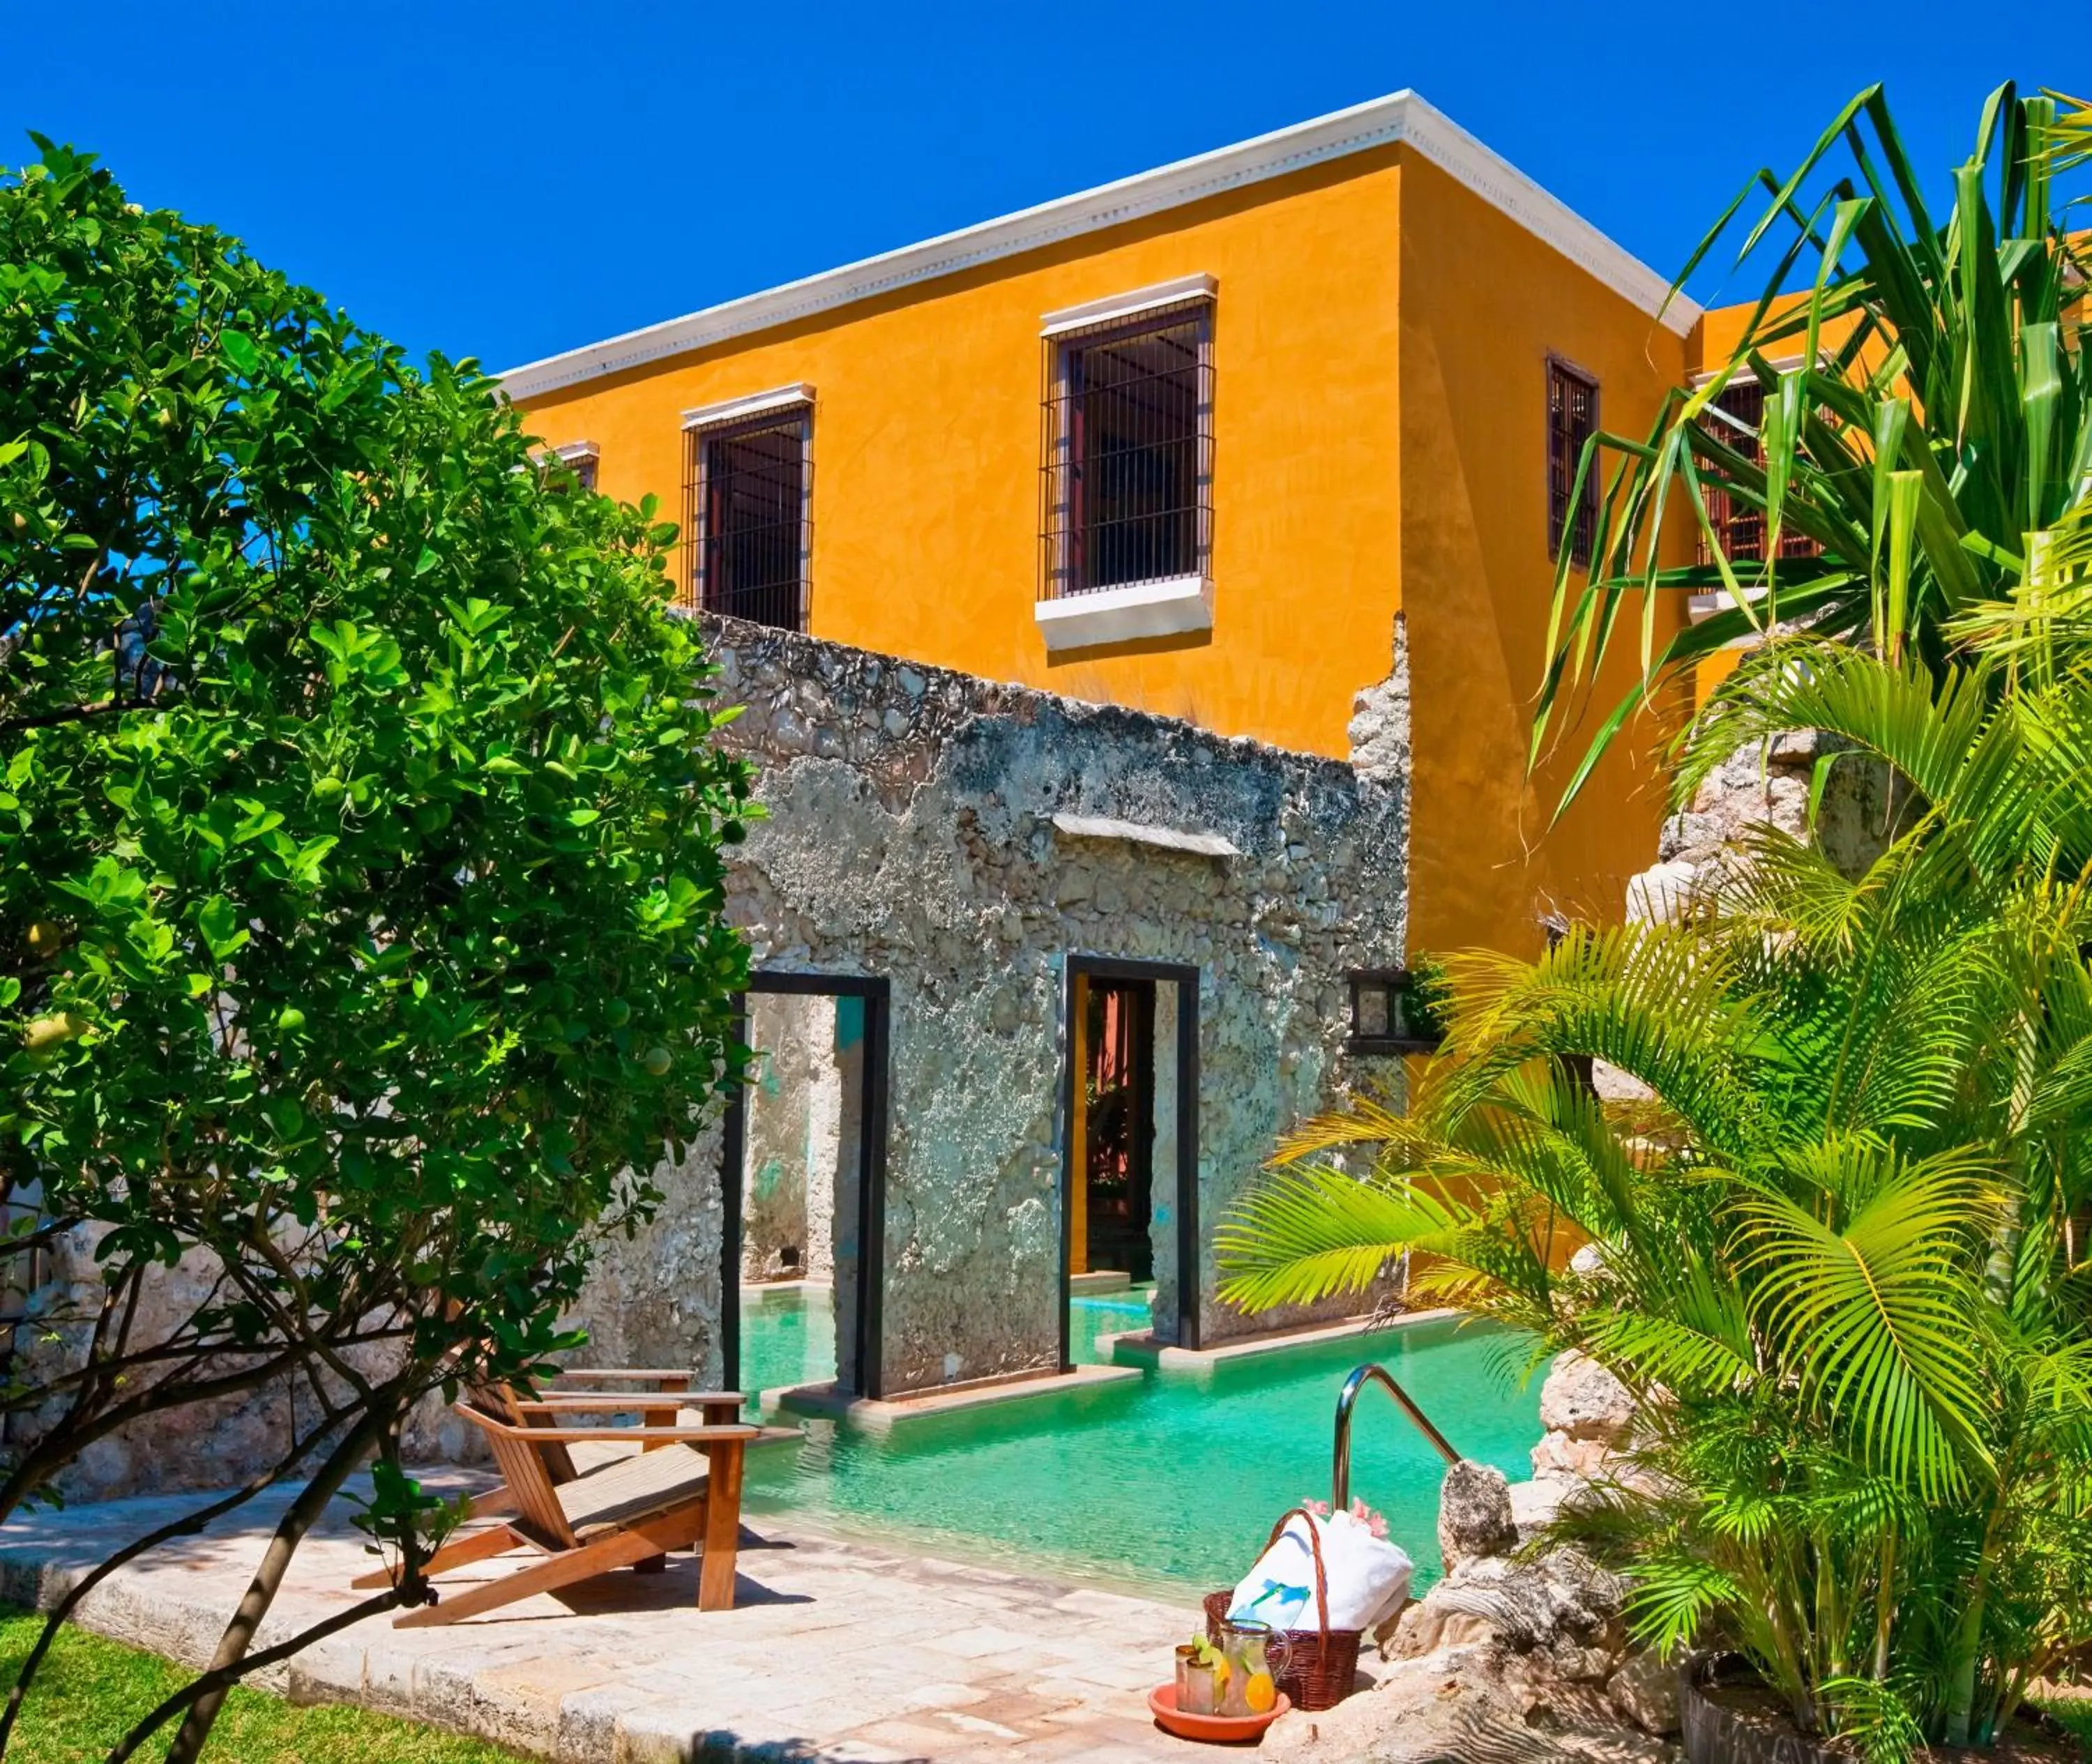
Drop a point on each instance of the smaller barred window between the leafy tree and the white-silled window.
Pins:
(750, 499)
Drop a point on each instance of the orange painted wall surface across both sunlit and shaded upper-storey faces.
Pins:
(1380, 350)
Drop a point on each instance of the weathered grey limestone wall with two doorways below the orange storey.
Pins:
(911, 834)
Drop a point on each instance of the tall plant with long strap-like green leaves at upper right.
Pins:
(1928, 405)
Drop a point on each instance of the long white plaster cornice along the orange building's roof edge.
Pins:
(1380, 122)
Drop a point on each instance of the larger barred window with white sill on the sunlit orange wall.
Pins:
(1129, 453)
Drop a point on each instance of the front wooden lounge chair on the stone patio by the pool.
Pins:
(681, 1489)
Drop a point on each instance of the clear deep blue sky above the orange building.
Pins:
(516, 179)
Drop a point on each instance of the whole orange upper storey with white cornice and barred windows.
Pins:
(1193, 443)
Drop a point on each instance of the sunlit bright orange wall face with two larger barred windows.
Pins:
(928, 455)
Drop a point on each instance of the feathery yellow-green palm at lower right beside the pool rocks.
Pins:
(1836, 1252)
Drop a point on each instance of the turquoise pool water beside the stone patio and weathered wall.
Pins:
(1166, 1483)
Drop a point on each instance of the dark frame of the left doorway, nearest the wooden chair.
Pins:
(869, 1324)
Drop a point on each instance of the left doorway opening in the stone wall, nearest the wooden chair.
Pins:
(804, 1188)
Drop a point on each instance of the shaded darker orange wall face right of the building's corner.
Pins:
(1482, 309)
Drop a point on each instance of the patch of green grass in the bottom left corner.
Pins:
(91, 1692)
